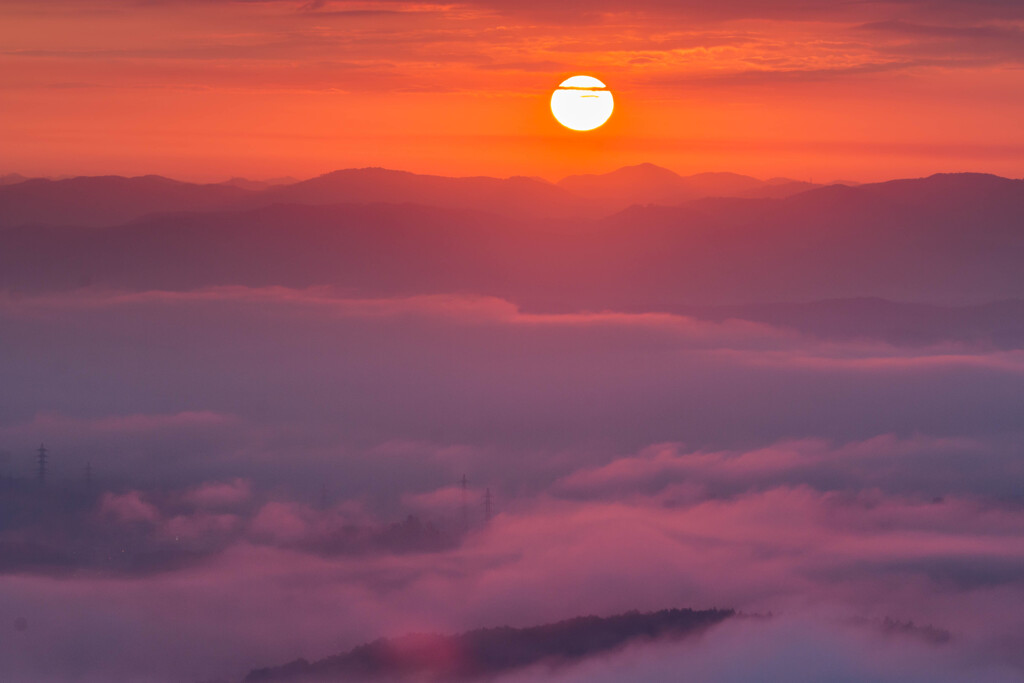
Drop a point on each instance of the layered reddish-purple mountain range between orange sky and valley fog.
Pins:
(947, 240)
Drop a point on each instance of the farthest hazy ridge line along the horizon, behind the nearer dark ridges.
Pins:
(105, 201)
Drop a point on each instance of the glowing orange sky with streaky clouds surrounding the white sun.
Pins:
(813, 90)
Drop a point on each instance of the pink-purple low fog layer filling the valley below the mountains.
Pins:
(276, 475)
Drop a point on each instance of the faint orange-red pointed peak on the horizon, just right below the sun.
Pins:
(648, 184)
